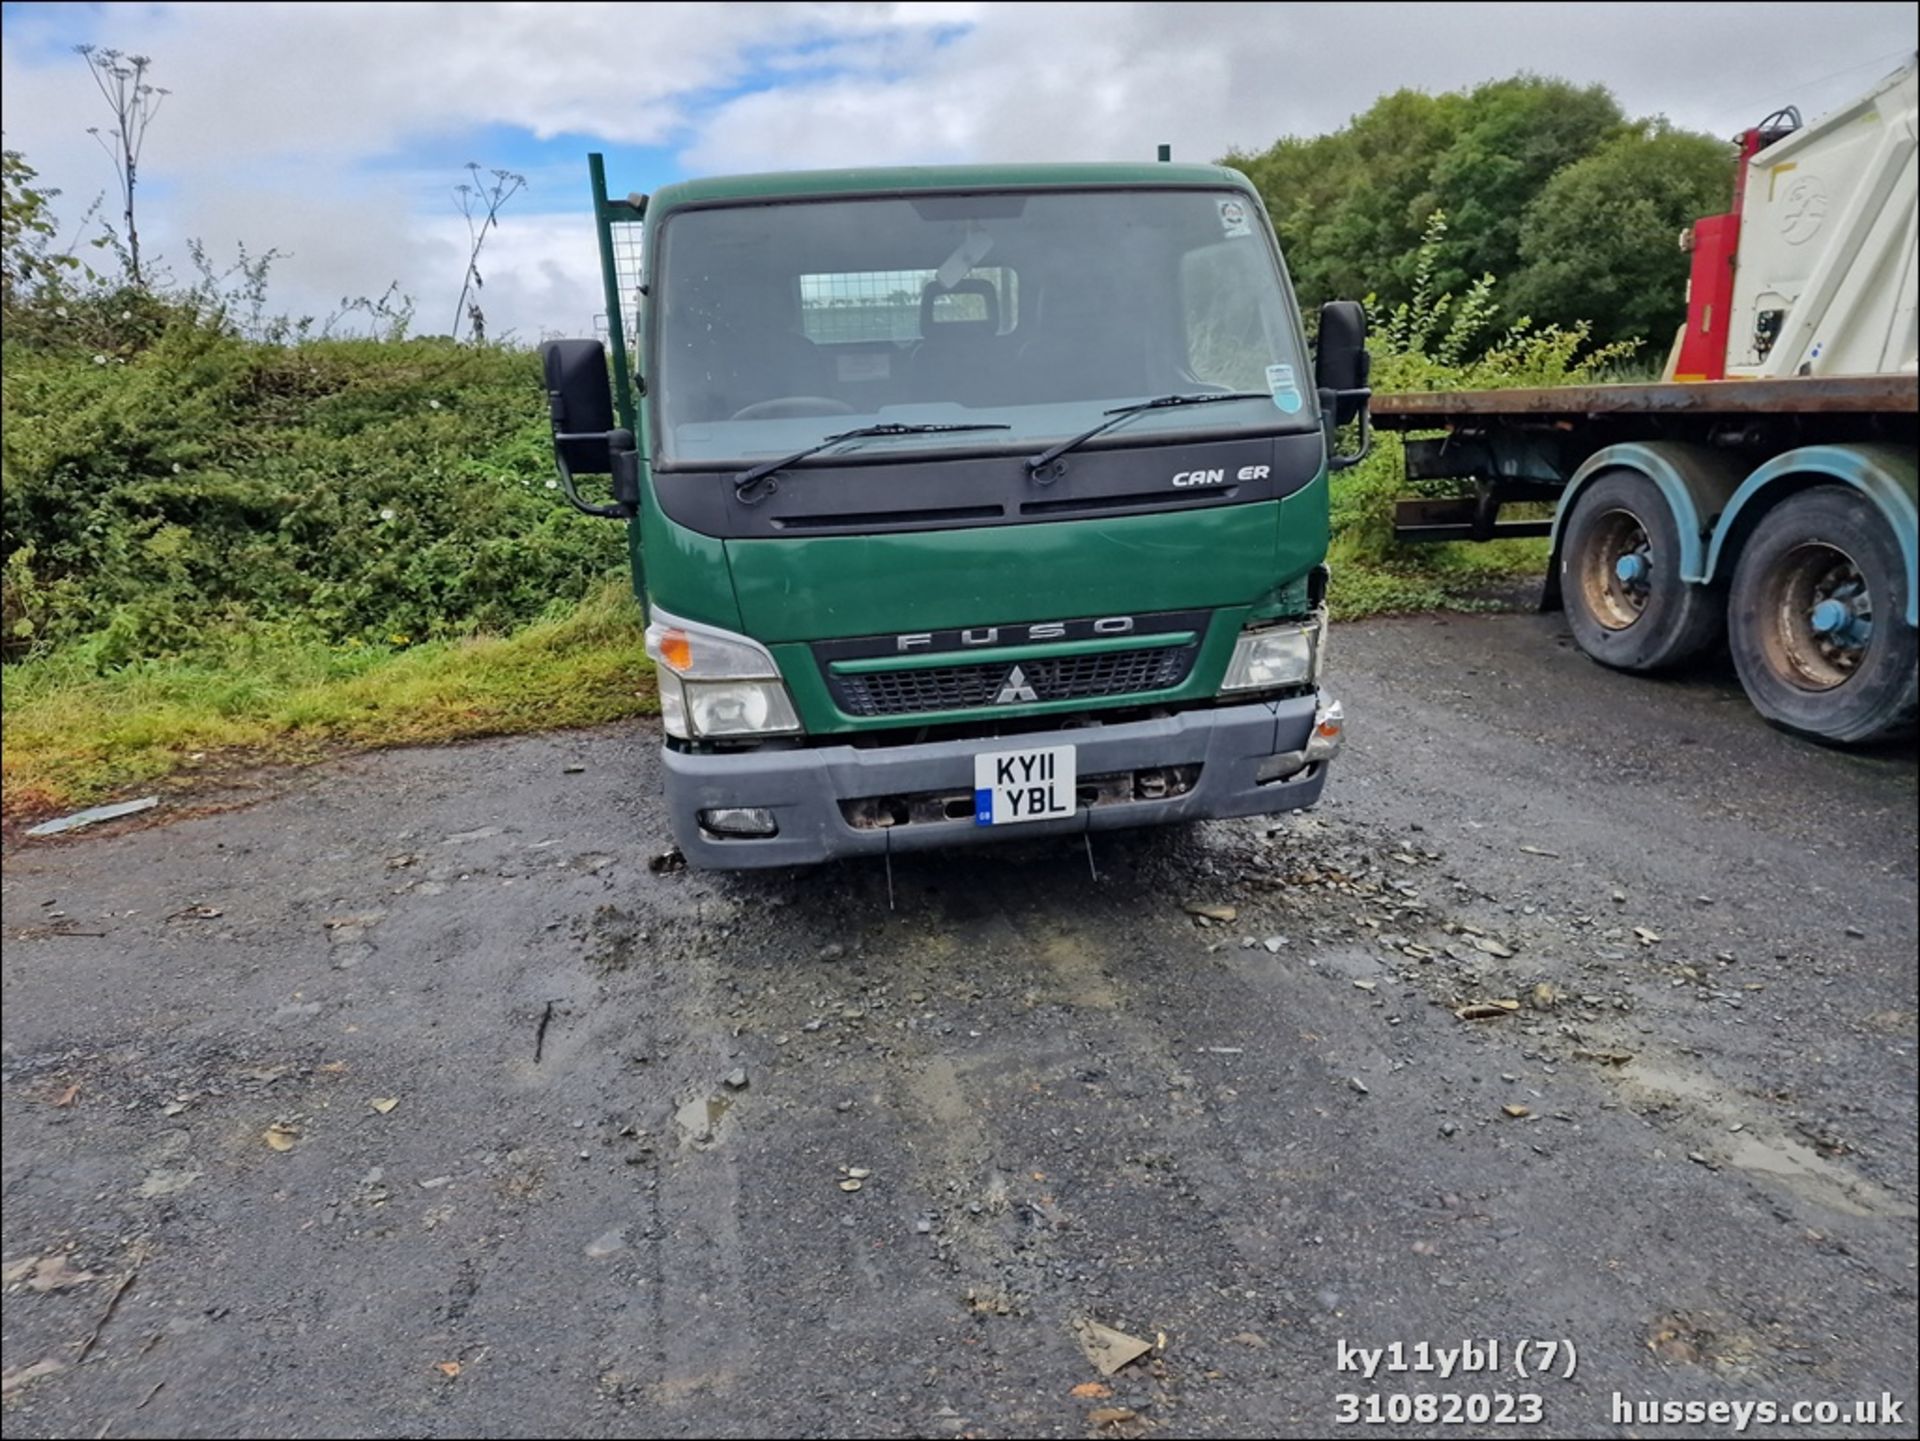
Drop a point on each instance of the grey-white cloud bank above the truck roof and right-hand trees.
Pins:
(1113, 82)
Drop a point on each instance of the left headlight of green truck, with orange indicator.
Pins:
(717, 684)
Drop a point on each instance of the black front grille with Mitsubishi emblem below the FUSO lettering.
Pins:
(978, 686)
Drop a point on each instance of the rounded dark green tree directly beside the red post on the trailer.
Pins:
(1600, 243)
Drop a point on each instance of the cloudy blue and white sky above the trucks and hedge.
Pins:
(335, 133)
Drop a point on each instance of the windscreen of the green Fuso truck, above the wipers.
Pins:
(780, 325)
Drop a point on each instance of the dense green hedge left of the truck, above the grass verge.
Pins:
(170, 479)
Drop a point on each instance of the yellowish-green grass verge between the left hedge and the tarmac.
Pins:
(76, 736)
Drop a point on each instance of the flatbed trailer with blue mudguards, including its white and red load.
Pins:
(1765, 488)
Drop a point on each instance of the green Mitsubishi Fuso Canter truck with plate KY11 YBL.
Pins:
(967, 502)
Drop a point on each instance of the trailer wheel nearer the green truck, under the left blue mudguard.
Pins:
(1621, 584)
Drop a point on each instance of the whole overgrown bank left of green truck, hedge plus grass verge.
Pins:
(228, 534)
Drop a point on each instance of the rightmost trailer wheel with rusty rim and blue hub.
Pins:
(1819, 619)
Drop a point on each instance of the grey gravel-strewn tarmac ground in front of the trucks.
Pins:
(410, 1100)
